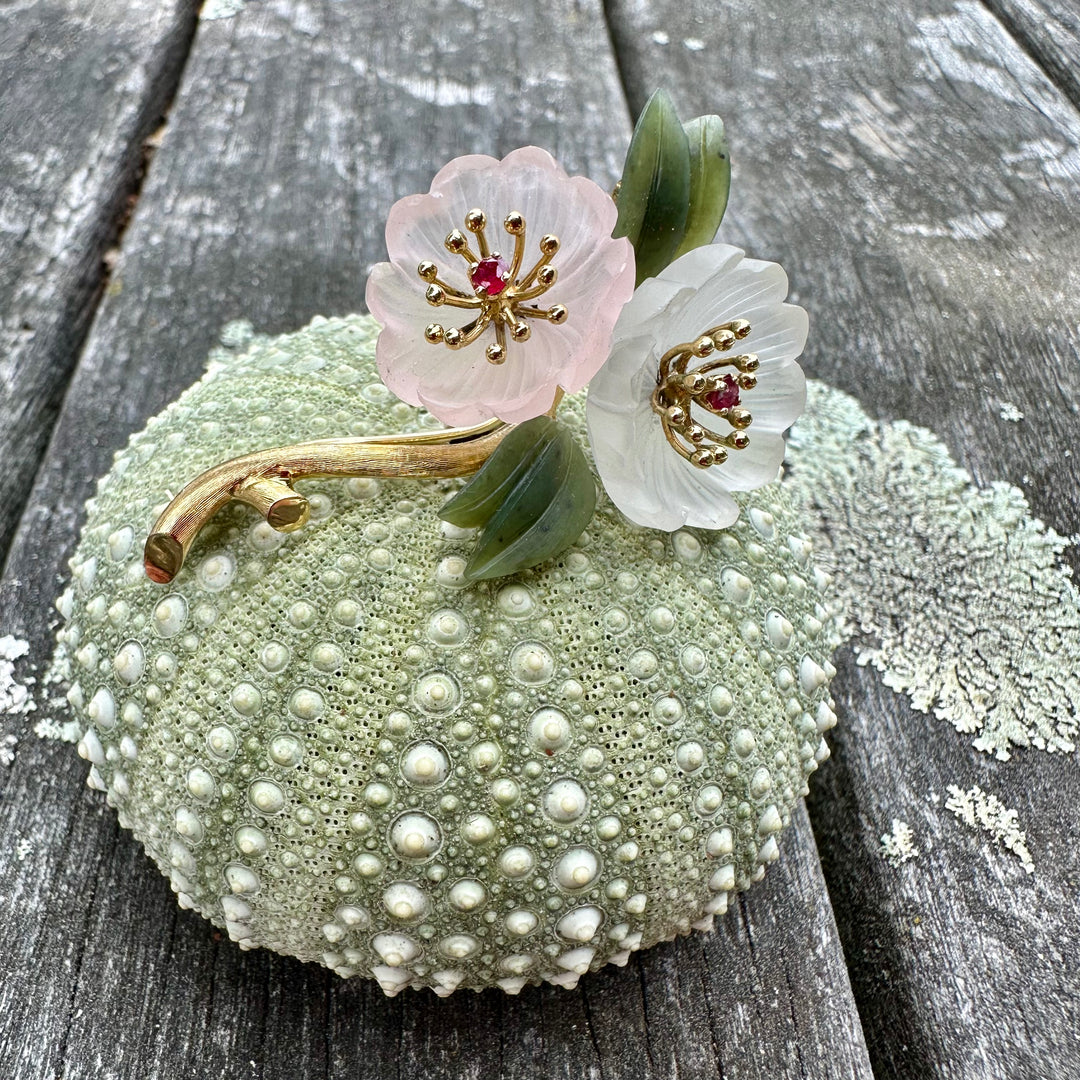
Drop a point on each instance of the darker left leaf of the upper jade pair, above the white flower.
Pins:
(655, 190)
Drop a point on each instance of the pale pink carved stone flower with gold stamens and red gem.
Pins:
(504, 285)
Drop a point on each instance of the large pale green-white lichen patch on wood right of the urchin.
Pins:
(960, 596)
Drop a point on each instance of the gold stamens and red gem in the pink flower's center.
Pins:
(501, 292)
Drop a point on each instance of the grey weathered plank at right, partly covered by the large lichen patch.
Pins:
(915, 173)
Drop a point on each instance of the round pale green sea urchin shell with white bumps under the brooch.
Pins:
(337, 751)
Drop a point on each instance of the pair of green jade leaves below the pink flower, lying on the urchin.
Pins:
(533, 497)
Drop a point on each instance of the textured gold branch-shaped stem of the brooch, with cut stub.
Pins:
(265, 479)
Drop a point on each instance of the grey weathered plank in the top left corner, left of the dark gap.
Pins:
(83, 86)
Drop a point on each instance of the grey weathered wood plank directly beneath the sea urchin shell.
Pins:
(296, 127)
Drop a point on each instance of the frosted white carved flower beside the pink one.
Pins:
(646, 477)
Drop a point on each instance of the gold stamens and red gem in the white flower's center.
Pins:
(680, 390)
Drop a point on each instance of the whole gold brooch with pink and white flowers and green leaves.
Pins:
(511, 283)
